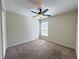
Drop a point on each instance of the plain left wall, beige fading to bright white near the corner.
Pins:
(21, 29)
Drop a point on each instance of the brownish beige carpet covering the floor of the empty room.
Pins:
(40, 49)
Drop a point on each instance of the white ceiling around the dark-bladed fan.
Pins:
(55, 6)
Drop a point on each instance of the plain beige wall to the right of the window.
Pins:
(62, 29)
